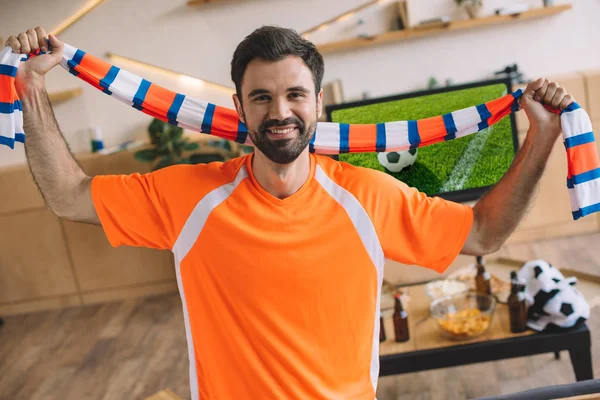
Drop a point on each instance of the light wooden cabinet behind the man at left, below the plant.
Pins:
(46, 262)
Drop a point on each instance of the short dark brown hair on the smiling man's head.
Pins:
(272, 43)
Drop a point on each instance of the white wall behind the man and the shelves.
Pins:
(199, 41)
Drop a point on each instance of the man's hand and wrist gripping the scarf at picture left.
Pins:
(32, 72)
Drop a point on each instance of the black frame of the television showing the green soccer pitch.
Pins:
(458, 195)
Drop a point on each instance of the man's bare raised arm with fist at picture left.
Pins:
(65, 187)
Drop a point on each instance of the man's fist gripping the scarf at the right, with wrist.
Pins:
(544, 92)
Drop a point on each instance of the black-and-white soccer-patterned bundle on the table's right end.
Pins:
(553, 301)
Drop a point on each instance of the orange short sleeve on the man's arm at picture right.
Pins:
(419, 230)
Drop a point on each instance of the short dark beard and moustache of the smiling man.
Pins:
(282, 151)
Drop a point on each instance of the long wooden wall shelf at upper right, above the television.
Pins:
(415, 32)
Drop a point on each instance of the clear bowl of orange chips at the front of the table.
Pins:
(463, 316)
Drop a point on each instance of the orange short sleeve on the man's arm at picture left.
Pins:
(132, 211)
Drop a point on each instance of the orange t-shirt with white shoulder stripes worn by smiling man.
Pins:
(281, 297)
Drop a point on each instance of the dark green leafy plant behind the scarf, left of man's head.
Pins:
(170, 147)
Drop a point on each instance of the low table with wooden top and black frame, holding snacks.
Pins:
(429, 349)
